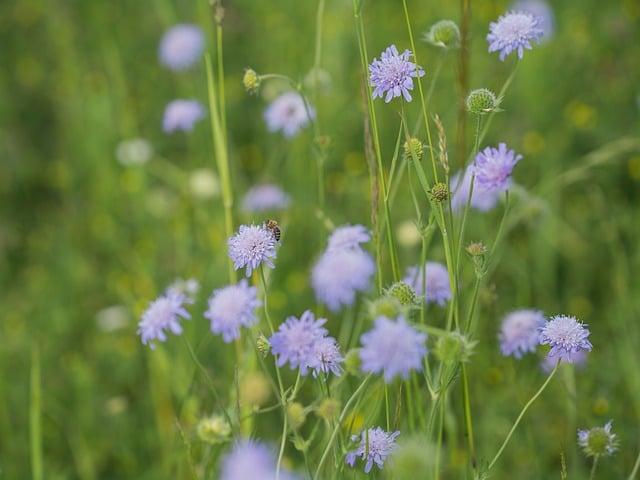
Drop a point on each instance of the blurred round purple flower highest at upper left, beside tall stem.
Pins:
(181, 46)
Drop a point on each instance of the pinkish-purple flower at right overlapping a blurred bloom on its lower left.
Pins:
(493, 167)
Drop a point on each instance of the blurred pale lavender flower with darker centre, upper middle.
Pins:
(288, 114)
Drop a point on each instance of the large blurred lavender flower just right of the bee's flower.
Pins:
(339, 274)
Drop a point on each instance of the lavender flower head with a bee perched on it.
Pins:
(251, 247)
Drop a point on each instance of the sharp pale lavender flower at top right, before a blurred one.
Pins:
(514, 32)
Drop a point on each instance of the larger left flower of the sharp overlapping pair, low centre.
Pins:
(295, 340)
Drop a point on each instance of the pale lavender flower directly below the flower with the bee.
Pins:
(232, 307)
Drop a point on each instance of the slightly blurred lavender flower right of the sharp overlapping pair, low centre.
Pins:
(392, 348)
